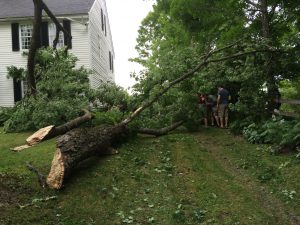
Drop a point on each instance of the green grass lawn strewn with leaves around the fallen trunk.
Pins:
(209, 177)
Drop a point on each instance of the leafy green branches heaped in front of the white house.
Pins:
(62, 91)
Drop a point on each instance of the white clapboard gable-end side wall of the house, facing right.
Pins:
(100, 45)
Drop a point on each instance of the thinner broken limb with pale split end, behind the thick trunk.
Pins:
(53, 131)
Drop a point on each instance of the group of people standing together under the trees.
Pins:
(215, 109)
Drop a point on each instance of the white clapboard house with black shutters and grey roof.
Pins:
(86, 20)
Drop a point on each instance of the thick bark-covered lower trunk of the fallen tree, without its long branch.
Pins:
(80, 144)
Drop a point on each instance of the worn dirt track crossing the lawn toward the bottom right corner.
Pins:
(269, 202)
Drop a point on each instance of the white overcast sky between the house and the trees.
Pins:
(125, 17)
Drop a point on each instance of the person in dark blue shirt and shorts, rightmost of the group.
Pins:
(222, 105)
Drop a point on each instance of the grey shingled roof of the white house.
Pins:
(25, 8)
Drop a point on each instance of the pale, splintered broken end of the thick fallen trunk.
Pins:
(56, 175)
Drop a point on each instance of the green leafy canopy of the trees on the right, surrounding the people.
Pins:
(177, 33)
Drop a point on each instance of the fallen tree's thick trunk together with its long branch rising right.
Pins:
(82, 143)
